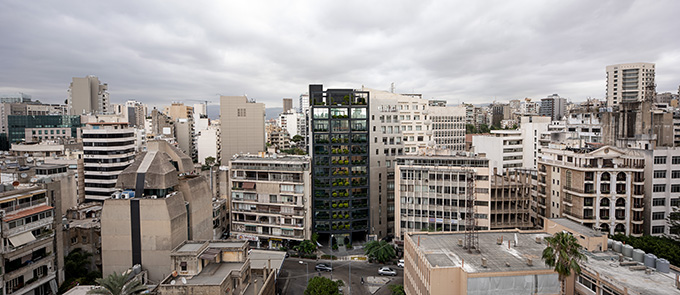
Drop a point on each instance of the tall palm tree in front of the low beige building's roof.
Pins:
(563, 253)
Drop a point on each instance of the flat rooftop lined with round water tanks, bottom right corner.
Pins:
(636, 281)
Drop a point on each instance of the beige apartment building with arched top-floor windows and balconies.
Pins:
(601, 188)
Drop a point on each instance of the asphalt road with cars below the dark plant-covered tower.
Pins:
(292, 278)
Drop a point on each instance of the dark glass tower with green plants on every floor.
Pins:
(340, 150)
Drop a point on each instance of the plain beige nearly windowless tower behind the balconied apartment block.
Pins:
(242, 126)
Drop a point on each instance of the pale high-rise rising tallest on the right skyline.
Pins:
(631, 82)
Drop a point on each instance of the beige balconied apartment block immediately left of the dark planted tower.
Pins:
(270, 199)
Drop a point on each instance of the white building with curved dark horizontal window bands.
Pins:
(108, 148)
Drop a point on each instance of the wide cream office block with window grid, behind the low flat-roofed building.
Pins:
(432, 193)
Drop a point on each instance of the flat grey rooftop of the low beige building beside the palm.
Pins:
(442, 250)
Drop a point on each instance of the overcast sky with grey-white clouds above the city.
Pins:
(469, 51)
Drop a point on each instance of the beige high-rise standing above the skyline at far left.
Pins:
(88, 95)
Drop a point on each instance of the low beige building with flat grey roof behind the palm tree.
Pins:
(509, 261)
